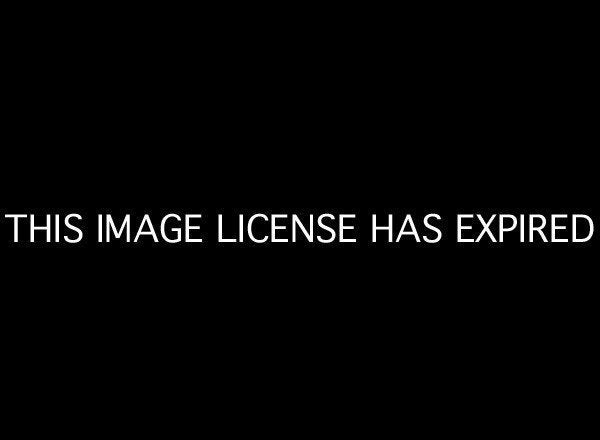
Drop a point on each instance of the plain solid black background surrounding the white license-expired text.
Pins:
(368, 113)
